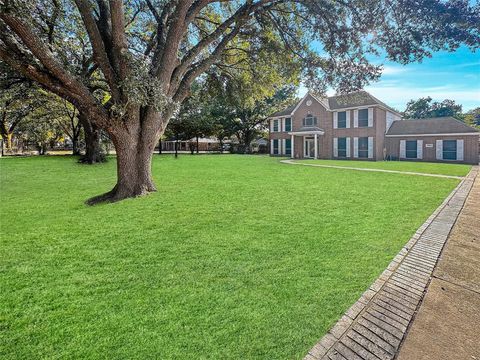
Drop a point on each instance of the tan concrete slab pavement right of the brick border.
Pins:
(447, 325)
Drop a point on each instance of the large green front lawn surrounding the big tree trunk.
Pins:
(235, 257)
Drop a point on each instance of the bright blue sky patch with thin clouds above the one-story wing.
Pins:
(446, 75)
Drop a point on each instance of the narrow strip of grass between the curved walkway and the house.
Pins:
(420, 167)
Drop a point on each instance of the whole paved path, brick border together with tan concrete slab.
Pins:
(393, 318)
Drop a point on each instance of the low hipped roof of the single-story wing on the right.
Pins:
(442, 125)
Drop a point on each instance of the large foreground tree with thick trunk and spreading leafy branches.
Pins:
(146, 54)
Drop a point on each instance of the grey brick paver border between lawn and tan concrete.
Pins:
(377, 324)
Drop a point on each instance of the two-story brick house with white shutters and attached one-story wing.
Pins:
(359, 126)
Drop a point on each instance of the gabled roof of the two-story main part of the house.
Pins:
(351, 100)
